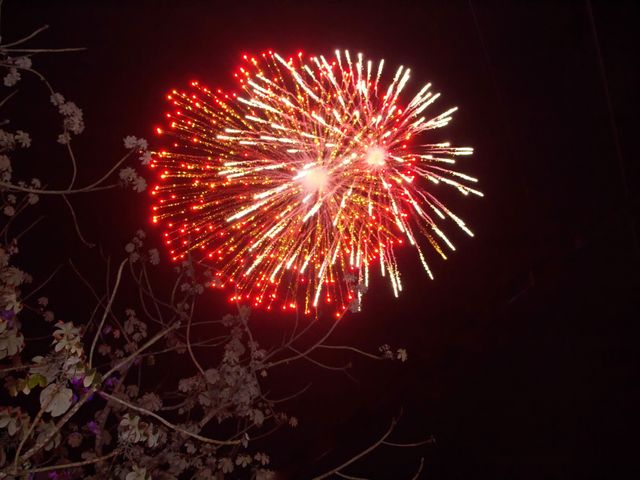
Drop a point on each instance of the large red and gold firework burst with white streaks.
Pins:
(310, 177)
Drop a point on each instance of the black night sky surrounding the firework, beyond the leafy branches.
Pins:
(523, 352)
